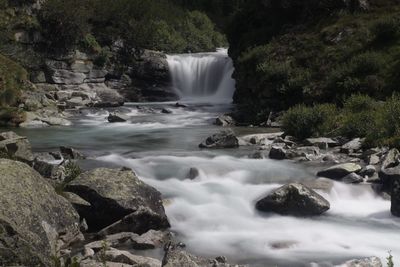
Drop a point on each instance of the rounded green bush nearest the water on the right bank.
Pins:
(303, 122)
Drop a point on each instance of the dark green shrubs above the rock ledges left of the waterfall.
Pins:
(159, 25)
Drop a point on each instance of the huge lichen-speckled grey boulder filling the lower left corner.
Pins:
(35, 222)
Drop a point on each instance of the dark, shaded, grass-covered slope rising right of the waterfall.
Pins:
(291, 52)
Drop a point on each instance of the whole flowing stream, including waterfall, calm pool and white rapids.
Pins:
(214, 213)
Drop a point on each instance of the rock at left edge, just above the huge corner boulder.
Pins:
(15, 147)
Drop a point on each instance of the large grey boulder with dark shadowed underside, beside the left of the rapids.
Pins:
(119, 201)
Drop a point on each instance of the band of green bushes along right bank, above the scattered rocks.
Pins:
(360, 116)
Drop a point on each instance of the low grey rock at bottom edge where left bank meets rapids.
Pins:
(175, 256)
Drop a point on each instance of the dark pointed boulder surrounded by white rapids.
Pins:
(293, 199)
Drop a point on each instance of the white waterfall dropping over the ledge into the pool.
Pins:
(203, 76)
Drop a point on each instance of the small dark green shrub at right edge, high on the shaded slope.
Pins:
(386, 29)
